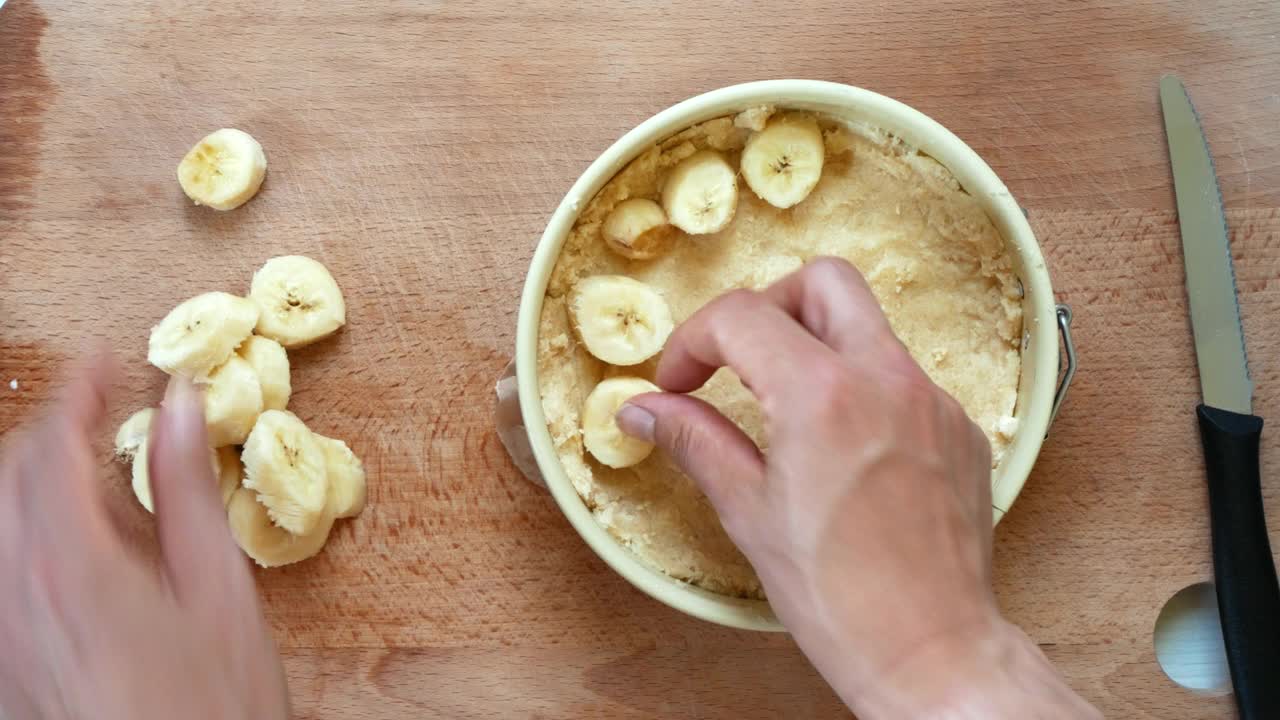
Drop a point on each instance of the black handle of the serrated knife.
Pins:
(1249, 596)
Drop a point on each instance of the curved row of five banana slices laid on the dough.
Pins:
(625, 322)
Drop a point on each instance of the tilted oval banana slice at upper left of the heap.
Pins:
(202, 334)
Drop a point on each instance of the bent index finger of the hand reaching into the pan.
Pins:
(749, 334)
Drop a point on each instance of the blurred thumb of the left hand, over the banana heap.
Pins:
(200, 555)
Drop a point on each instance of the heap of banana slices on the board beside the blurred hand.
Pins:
(287, 486)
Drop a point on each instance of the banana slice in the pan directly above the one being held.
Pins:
(621, 321)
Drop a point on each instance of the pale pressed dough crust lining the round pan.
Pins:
(935, 262)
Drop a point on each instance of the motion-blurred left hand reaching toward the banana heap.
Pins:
(93, 631)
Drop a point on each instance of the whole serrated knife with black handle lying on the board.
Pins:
(1249, 595)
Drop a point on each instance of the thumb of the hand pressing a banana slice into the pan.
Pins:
(705, 444)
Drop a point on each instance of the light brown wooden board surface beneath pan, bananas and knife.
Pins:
(418, 151)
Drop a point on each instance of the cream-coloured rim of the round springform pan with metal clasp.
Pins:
(1039, 394)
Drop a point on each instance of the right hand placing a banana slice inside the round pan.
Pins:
(868, 521)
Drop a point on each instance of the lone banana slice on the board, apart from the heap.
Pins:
(223, 171)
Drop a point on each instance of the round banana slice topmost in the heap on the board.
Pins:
(299, 299)
